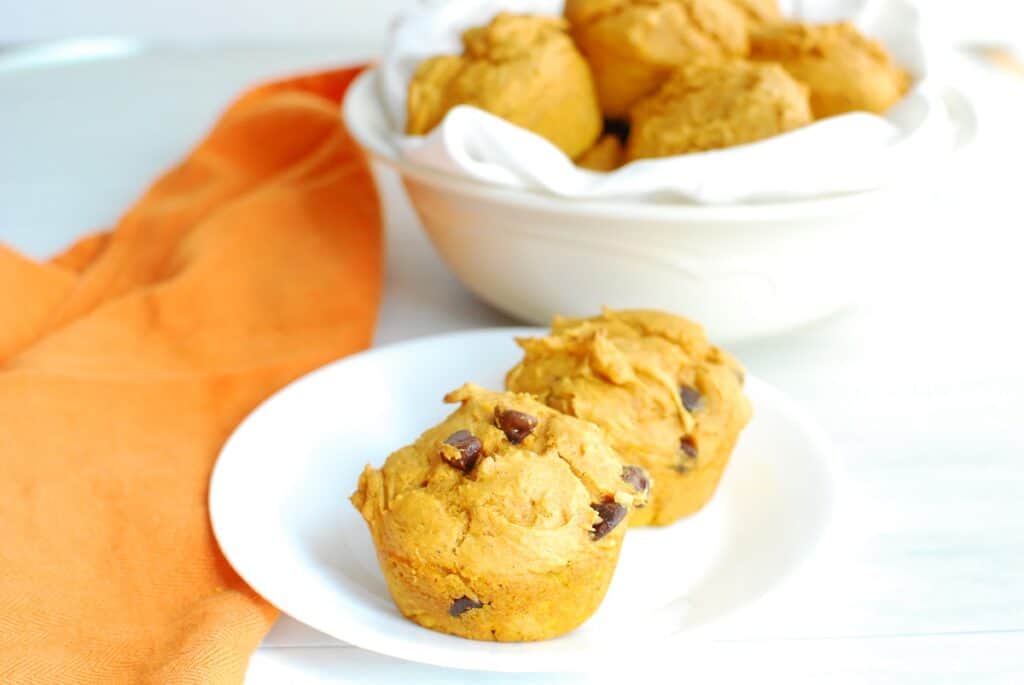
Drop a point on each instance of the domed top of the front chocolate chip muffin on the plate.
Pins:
(504, 486)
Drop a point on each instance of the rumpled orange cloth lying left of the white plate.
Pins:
(127, 362)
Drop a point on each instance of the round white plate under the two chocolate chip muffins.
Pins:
(279, 503)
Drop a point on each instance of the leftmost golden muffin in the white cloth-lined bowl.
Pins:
(524, 69)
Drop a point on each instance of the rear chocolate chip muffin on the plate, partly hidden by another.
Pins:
(668, 400)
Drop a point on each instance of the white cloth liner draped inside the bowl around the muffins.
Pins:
(846, 154)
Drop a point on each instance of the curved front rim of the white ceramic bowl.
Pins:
(361, 99)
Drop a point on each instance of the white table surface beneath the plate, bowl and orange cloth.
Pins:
(922, 387)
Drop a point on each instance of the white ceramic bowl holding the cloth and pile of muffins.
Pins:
(744, 271)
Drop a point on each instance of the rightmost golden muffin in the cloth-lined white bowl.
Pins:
(845, 70)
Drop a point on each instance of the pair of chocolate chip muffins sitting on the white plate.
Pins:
(505, 522)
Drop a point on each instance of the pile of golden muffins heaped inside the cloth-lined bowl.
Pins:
(620, 80)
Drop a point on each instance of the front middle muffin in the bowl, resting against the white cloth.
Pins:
(711, 105)
